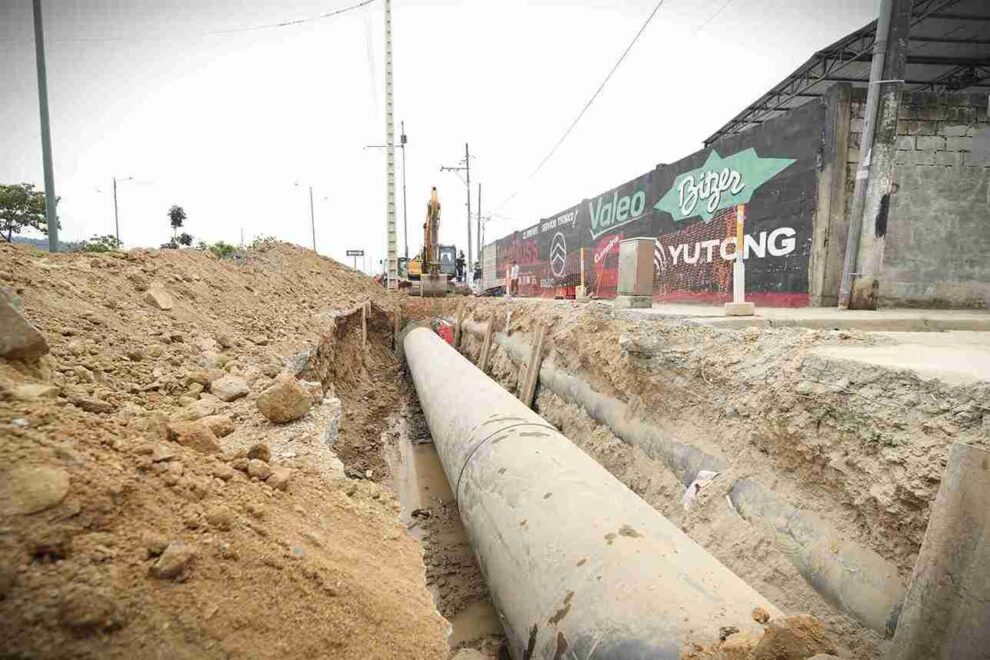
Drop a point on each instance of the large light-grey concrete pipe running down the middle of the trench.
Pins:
(578, 566)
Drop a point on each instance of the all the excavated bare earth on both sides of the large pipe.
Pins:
(336, 534)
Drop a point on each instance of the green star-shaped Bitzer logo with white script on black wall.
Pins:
(718, 184)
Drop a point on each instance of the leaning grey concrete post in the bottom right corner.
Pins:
(946, 613)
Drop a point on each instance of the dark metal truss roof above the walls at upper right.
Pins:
(949, 49)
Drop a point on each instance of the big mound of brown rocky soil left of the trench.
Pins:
(150, 508)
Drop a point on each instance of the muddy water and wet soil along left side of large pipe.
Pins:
(431, 516)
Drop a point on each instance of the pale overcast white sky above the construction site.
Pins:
(225, 124)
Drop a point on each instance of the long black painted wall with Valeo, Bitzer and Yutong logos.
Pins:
(689, 209)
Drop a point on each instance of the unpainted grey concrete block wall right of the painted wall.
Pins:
(937, 250)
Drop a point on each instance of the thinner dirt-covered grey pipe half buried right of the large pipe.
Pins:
(851, 577)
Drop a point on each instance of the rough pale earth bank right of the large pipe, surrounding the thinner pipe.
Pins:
(861, 448)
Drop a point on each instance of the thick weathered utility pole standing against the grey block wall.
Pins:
(863, 259)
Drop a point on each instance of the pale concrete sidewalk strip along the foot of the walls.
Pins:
(905, 320)
